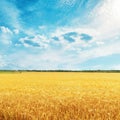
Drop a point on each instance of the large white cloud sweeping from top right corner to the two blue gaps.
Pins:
(104, 29)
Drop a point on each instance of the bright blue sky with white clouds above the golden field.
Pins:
(59, 34)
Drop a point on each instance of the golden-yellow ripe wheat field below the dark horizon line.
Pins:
(59, 96)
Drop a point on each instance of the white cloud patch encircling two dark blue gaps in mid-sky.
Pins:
(78, 42)
